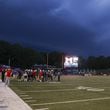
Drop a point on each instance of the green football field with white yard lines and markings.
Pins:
(72, 93)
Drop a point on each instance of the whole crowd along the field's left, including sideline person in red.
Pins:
(39, 75)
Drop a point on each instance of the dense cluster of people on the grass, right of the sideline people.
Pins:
(39, 75)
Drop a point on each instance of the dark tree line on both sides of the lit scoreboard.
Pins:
(19, 56)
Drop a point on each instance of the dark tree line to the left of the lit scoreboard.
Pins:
(19, 56)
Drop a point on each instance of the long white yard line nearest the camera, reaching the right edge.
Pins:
(74, 101)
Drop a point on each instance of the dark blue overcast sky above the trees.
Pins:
(78, 27)
